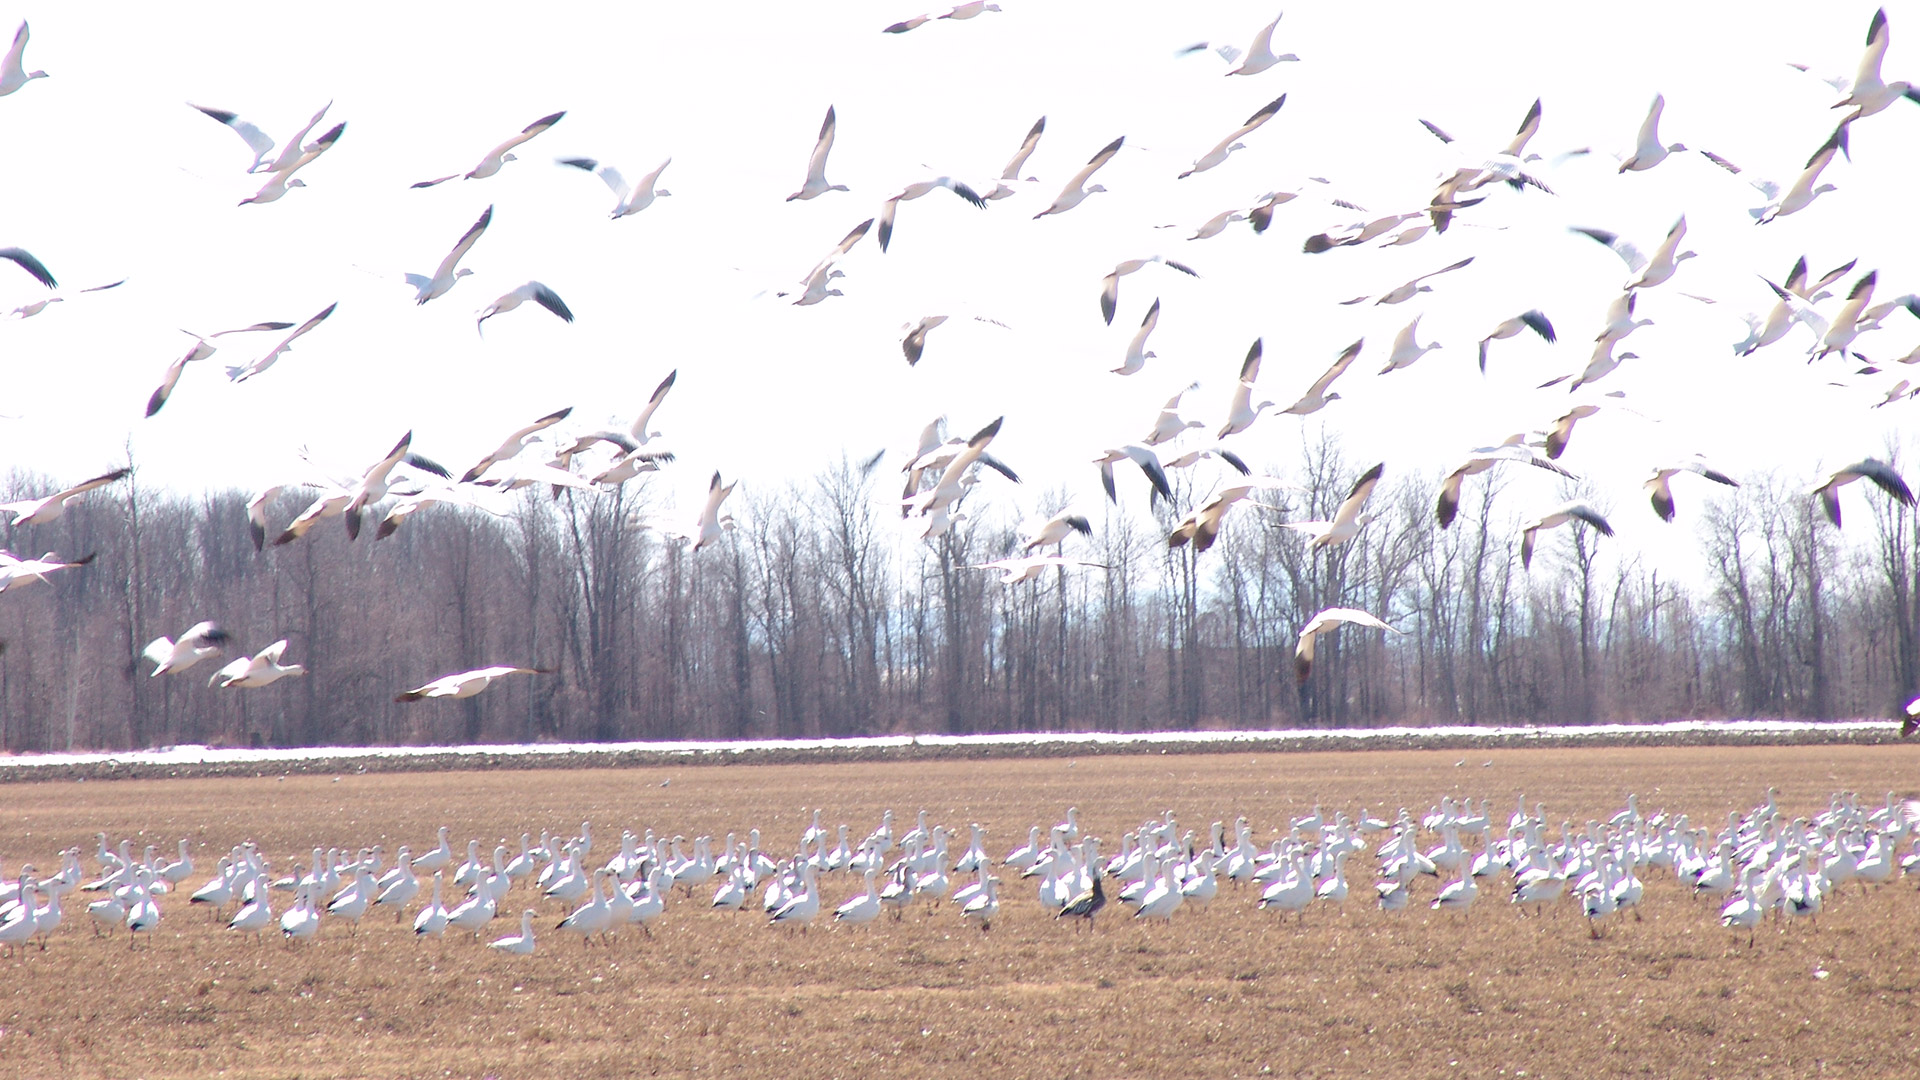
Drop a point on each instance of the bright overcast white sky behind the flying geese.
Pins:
(107, 174)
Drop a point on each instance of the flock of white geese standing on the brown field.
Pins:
(1756, 864)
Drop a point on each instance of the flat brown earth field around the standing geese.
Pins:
(1226, 993)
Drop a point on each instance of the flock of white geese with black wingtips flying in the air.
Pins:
(942, 472)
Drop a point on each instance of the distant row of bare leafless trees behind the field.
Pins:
(819, 616)
